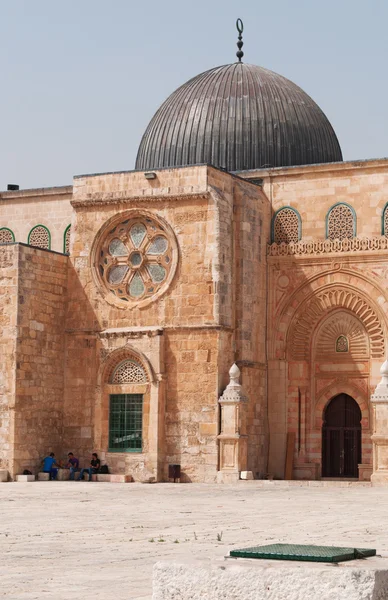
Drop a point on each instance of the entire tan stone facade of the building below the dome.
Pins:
(297, 299)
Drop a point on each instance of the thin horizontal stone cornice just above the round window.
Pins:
(109, 198)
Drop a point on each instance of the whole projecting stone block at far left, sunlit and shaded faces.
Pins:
(32, 340)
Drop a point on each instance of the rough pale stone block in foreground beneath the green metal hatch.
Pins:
(270, 580)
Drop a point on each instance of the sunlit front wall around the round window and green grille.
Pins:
(185, 392)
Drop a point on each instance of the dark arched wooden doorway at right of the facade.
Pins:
(341, 437)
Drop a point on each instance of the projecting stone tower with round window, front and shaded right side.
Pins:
(208, 297)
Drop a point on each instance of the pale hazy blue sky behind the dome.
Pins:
(80, 79)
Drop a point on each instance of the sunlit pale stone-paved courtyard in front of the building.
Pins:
(69, 540)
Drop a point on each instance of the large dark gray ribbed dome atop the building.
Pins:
(238, 117)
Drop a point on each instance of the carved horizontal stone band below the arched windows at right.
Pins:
(327, 246)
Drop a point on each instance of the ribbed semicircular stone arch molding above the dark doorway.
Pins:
(311, 311)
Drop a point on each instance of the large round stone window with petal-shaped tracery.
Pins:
(136, 259)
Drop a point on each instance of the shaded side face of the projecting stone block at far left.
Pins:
(38, 408)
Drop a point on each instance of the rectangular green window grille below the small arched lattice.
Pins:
(126, 422)
